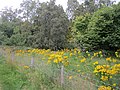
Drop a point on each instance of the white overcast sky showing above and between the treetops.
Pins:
(16, 3)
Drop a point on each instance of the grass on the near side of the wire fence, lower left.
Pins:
(13, 77)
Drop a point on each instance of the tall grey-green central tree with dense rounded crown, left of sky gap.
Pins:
(51, 26)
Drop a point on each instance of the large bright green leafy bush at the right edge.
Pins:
(101, 30)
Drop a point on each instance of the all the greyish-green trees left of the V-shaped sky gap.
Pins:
(42, 25)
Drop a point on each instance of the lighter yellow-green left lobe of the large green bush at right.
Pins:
(80, 30)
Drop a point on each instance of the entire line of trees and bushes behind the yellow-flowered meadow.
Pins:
(93, 24)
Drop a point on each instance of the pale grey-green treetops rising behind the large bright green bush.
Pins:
(88, 6)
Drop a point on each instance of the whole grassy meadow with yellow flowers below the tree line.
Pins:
(40, 69)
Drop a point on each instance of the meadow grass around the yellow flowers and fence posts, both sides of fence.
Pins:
(43, 76)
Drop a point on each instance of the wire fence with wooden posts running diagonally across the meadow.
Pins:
(67, 79)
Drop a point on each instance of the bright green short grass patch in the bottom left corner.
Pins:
(10, 77)
